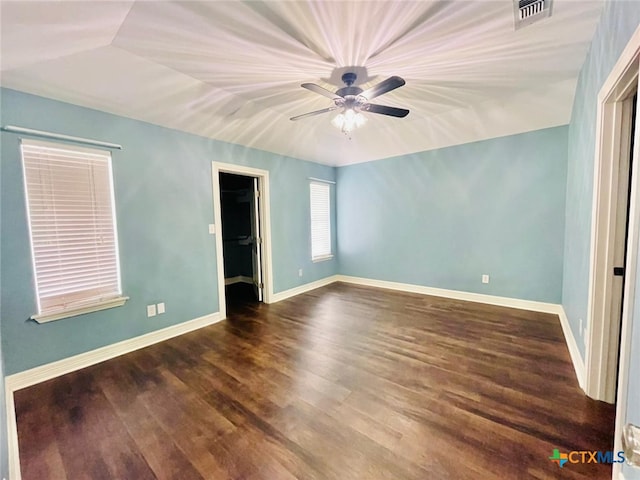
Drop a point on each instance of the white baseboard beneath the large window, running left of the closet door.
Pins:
(42, 373)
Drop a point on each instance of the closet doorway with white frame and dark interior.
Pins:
(242, 235)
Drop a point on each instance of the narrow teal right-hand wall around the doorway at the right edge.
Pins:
(619, 20)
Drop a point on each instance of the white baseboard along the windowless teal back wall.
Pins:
(455, 294)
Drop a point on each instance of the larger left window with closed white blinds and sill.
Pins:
(72, 227)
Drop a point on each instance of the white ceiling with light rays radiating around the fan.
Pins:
(232, 70)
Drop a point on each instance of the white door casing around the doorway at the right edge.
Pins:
(603, 320)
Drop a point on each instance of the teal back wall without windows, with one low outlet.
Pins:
(443, 218)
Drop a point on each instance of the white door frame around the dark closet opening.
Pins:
(264, 217)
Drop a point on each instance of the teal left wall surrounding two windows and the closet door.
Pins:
(163, 193)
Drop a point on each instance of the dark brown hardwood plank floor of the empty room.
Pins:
(344, 382)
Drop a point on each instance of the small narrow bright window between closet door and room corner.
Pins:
(320, 221)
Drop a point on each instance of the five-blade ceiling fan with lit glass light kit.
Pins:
(352, 100)
